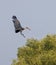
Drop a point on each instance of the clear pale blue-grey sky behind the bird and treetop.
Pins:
(39, 15)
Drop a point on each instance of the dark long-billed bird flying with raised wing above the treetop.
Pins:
(17, 26)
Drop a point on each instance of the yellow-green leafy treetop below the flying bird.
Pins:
(37, 52)
